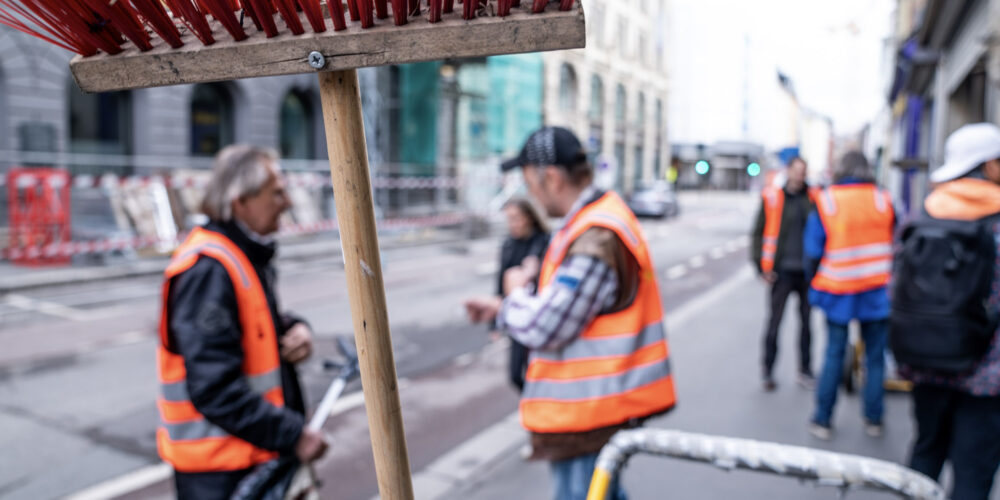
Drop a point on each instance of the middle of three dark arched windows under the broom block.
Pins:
(212, 119)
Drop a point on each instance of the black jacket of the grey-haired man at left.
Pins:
(204, 328)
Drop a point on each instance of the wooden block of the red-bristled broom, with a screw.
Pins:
(287, 54)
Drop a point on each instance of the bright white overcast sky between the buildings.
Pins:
(833, 51)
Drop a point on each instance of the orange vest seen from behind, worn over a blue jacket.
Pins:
(858, 220)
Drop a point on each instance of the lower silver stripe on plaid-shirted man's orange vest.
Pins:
(597, 387)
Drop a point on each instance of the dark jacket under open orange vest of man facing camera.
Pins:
(793, 224)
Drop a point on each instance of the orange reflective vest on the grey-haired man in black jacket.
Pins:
(185, 439)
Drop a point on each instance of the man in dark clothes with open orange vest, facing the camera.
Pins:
(777, 253)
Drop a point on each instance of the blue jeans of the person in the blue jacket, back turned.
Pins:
(874, 334)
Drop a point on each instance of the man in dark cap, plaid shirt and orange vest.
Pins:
(599, 357)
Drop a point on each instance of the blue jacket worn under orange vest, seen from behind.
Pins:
(872, 305)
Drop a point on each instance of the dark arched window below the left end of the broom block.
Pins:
(99, 123)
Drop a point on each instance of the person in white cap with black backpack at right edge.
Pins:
(945, 335)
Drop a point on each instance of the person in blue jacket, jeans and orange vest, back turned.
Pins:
(848, 249)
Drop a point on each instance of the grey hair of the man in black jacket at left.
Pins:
(238, 171)
